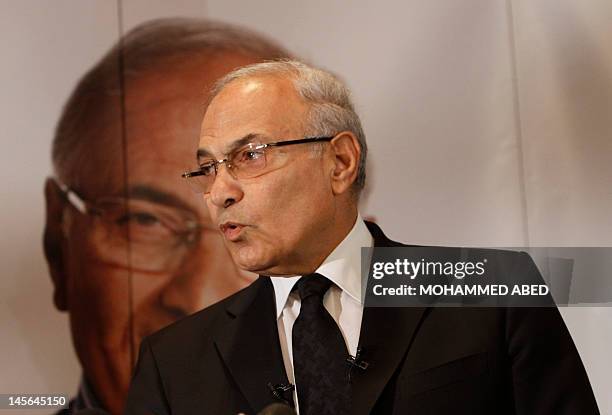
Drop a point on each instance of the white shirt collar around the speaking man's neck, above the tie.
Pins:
(342, 267)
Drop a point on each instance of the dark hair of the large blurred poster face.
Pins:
(138, 52)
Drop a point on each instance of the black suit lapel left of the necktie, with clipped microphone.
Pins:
(249, 346)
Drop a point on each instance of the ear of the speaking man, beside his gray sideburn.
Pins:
(346, 151)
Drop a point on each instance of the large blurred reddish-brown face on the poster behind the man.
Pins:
(113, 303)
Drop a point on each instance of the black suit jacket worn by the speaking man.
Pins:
(421, 360)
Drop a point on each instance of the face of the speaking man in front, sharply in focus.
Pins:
(274, 223)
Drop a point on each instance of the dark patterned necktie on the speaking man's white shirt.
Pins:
(319, 353)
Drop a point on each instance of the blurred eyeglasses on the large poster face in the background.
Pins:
(139, 234)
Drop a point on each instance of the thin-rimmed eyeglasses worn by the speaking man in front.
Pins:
(247, 162)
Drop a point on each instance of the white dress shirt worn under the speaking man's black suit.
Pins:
(342, 300)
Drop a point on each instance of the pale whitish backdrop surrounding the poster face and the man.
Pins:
(487, 120)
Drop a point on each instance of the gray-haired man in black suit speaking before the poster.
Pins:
(282, 162)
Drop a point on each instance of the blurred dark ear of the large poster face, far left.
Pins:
(53, 242)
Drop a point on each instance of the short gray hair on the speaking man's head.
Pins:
(331, 109)
